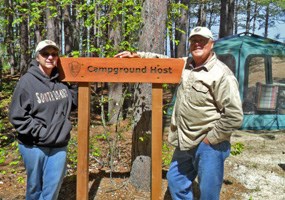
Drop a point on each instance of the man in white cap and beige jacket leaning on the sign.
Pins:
(206, 112)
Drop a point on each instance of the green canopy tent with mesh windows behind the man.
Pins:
(259, 65)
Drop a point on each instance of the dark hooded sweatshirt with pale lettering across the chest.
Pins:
(40, 108)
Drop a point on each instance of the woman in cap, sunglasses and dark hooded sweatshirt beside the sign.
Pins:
(39, 111)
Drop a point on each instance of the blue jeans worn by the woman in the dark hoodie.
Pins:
(45, 168)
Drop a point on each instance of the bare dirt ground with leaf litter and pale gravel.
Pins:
(257, 173)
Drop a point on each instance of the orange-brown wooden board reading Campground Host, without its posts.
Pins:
(144, 70)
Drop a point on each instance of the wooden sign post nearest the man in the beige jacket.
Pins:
(156, 142)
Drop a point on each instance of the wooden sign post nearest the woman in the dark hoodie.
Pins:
(82, 188)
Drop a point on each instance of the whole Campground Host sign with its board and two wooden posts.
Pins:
(132, 70)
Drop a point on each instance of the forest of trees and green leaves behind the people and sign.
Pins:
(102, 28)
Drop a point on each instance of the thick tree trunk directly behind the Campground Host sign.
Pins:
(151, 39)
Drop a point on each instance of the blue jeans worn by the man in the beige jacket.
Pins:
(204, 161)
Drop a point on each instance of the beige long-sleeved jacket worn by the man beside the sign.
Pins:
(207, 104)
